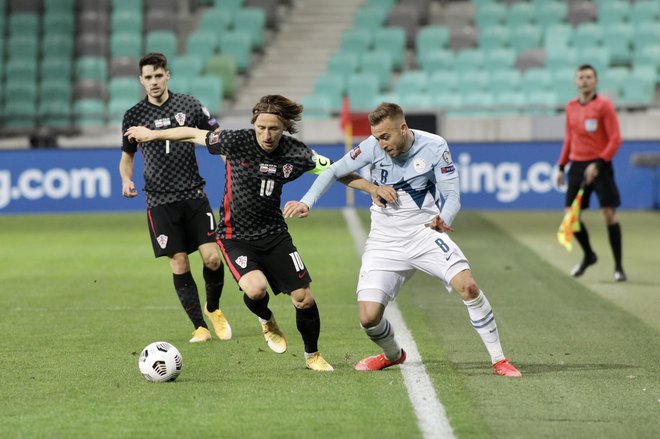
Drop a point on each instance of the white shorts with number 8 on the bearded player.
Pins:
(388, 264)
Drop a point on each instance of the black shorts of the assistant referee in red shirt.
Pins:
(604, 185)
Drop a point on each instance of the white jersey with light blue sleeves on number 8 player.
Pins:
(419, 176)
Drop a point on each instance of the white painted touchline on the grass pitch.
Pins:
(431, 415)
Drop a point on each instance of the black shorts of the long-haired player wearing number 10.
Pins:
(275, 256)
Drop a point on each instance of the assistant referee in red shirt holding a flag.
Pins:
(592, 140)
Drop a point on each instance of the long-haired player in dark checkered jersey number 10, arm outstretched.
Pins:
(252, 232)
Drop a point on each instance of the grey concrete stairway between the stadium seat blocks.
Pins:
(299, 52)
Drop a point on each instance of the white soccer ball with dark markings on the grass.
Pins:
(160, 362)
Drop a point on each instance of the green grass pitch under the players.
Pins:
(81, 295)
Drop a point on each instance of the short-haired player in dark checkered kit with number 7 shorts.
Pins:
(179, 216)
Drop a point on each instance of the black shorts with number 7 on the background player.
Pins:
(181, 226)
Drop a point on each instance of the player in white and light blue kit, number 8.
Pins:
(412, 168)
